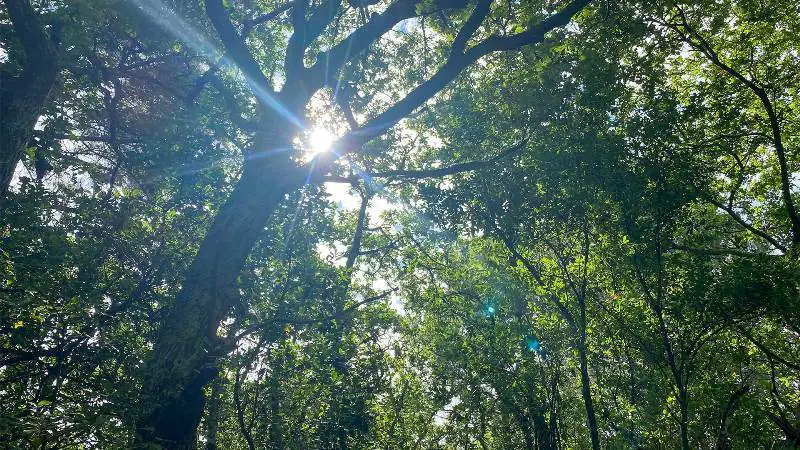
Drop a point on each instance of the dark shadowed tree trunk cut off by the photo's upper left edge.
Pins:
(23, 98)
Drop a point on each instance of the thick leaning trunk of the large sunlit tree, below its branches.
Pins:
(186, 348)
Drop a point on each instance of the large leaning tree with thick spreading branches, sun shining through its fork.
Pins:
(183, 358)
